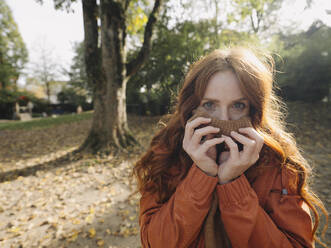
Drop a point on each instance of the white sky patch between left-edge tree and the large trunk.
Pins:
(42, 25)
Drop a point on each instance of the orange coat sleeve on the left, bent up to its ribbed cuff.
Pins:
(177, 222)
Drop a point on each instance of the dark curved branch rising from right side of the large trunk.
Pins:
(133, 66)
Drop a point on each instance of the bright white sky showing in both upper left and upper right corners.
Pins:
(58, 30)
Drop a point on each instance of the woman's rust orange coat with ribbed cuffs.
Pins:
(255, 215)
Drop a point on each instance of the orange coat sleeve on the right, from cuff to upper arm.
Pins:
(283, 223)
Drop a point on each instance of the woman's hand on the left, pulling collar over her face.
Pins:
(203, 154)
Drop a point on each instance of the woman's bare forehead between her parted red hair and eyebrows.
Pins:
(223, 86)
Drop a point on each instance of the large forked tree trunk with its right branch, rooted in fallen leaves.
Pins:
(110, 129)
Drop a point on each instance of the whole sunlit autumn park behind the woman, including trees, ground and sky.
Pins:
(61, 188)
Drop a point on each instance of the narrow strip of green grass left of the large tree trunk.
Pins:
(45, 122)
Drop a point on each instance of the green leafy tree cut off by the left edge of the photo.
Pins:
(13, 53)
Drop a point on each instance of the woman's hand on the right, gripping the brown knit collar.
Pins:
(235, 163)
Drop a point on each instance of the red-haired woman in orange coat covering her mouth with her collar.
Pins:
(233, 179)
